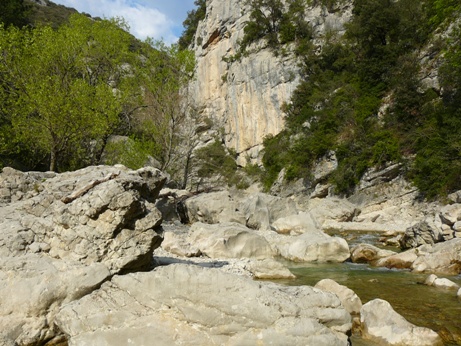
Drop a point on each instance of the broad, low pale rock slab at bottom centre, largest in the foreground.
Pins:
(190, 305)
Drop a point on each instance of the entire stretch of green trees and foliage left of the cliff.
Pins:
(64, 92)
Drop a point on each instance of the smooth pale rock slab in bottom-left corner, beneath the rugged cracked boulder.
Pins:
(32, 288)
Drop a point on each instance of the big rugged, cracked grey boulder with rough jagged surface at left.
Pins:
(97, 214)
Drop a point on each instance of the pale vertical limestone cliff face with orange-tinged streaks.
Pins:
(244, 96)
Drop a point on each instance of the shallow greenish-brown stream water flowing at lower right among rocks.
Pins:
(425, 306)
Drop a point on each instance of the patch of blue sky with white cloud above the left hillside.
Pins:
(159, 19)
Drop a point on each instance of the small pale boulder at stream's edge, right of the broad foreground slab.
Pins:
(381, 324)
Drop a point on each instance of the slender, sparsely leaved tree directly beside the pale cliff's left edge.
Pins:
(164, 74)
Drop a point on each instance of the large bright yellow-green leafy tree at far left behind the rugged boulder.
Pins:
(60, 100)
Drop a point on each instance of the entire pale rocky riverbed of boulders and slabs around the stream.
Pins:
(100, 256)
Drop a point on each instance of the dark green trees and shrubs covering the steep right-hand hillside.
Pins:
(338, 104)
